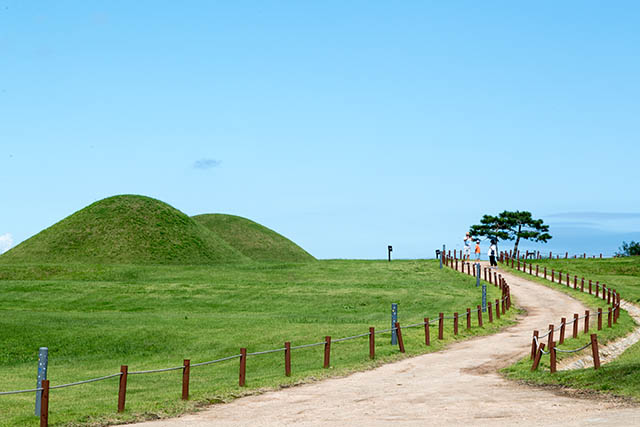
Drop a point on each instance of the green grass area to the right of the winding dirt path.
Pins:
(620, 377)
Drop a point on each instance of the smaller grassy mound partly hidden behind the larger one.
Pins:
(253, 240)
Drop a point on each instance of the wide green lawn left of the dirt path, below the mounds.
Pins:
(95, 318)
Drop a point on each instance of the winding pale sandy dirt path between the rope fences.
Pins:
(458, 386)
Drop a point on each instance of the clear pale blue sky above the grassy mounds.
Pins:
(344, 125)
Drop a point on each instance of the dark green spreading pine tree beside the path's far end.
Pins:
(512, 226)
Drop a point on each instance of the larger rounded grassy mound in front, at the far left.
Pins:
(125, 229)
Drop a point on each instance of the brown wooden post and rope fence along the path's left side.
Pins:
(501, 306)
